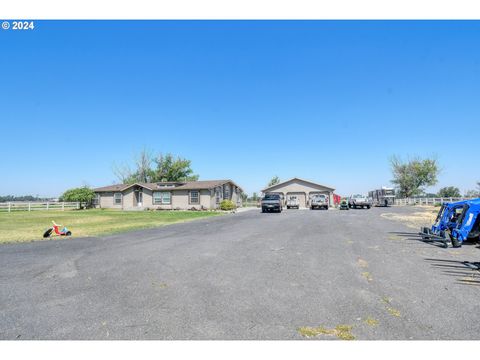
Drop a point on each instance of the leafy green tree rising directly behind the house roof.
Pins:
(170, 168)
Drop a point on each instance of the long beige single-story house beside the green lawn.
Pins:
(174, 195)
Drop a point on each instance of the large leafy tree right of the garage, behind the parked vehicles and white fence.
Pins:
(413, 176)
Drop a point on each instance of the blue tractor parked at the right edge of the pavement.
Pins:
(450, 217)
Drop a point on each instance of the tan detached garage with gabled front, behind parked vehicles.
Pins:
(304, 190)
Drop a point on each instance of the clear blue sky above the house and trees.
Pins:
(329, 101)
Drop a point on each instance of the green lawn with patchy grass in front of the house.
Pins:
(28, 226)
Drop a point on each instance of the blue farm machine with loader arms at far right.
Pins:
(459, 220)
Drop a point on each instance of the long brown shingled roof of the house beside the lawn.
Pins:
(188, 185)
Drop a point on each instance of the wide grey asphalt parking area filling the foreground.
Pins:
(243, 276)
